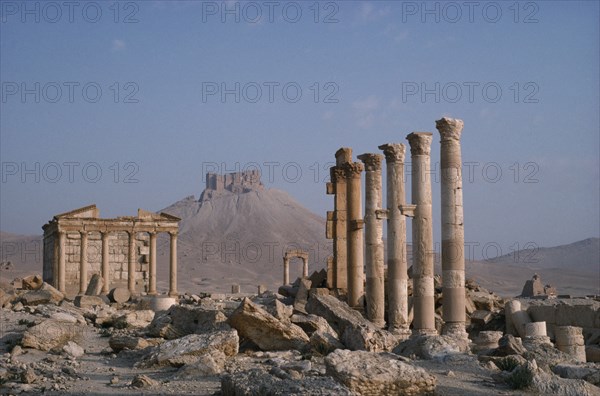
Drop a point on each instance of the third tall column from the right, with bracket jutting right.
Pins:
(396, 240)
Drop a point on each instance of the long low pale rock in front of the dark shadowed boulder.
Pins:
(186, 350)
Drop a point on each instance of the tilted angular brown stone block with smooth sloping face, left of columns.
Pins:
(256, 324)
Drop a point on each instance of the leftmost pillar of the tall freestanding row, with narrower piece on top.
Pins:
(340, 216)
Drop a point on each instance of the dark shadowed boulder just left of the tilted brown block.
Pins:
(181, 320)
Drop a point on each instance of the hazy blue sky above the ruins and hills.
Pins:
(127, 104)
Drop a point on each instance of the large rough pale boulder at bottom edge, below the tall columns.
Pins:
(367, 373)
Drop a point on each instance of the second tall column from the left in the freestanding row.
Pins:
(354, 235)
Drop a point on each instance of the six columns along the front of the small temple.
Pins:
(105, 265)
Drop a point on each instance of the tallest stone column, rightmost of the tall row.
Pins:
(453, 236)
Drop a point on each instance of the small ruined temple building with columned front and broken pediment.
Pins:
(79, 243)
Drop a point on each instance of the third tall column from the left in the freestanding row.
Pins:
(375, 288)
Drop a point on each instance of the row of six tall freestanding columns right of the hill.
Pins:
(453, 277)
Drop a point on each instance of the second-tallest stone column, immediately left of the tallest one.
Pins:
(422, 234)
